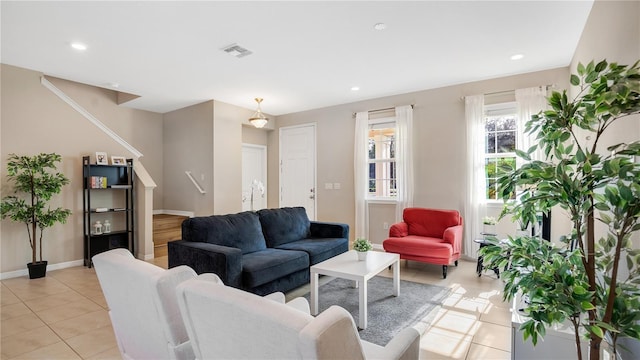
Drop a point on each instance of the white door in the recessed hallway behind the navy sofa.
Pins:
(254, 177)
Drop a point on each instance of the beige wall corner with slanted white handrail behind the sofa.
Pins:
(206, 139)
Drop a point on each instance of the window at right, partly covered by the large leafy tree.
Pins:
(500, 134)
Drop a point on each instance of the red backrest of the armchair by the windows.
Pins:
(430, 222)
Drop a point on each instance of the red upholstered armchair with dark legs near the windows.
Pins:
(427, 235)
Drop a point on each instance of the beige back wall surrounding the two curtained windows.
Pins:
(439, 138)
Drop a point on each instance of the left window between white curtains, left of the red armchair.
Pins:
(382, 162)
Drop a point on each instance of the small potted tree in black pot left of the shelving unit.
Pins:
(35, 182)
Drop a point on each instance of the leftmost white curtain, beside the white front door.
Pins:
(361, 172)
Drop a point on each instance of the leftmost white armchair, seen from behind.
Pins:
(142, 305)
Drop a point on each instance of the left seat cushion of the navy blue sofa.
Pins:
(260, 267)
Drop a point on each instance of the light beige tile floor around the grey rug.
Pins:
(64, 315)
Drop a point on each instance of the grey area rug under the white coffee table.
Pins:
(416, 306)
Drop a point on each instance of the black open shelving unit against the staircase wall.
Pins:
(115, 203)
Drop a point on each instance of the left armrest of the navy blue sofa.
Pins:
(224, 261)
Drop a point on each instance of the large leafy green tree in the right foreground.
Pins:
(580, 280)
